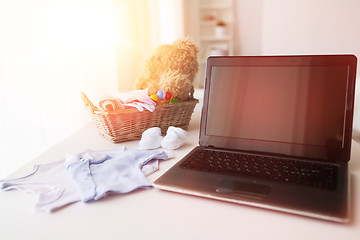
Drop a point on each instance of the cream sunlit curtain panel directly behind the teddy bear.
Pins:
(146, 24)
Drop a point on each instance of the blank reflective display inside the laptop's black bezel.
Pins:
(296, 105)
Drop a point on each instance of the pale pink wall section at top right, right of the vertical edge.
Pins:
(308, 26)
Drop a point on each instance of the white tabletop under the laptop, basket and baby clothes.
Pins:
(156, 214)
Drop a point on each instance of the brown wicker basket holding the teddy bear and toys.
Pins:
(129, 124)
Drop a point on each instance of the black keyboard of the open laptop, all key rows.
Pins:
(318, 175)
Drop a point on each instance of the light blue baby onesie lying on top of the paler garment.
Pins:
(95, 177)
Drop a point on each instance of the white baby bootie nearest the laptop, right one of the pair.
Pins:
(175, 138)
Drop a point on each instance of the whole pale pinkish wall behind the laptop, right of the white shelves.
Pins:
(267, 27)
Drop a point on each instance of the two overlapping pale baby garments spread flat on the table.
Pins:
(87, 176)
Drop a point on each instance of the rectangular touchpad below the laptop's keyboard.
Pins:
(243, 188)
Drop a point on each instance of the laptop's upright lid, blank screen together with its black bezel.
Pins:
(280, 105)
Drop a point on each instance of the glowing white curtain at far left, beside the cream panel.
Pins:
(49, 51)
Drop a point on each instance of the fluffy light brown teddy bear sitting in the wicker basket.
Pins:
(171, 68)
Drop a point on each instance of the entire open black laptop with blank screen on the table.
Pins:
(275, 133)
